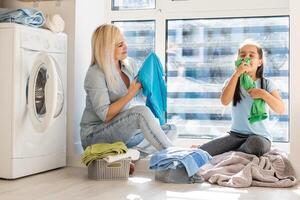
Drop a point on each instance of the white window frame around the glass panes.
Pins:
(193, 9)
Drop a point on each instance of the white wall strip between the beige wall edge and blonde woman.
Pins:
(88, 17)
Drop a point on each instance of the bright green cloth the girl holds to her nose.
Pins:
(258, 111)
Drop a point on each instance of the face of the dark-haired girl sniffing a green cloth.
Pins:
(250, 51)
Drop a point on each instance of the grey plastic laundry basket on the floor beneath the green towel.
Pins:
(102, 170)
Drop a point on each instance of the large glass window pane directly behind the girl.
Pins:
(200, 57)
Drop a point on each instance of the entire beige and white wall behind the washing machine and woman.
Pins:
(81, 19)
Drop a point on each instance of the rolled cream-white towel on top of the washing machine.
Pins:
(55, 23)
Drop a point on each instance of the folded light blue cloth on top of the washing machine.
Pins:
(27, 16)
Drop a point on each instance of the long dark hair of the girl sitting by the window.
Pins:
(259, 72)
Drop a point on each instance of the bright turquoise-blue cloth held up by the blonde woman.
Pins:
(154, 87)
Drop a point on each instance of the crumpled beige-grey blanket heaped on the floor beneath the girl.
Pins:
(238, 169)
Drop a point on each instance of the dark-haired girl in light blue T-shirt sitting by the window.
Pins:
(245, 135)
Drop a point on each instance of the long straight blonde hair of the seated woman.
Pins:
(104, 40)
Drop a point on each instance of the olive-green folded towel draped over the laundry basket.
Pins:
(102, 150)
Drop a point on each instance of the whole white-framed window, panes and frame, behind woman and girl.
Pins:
(198, 52)
